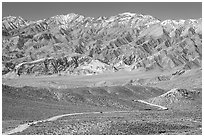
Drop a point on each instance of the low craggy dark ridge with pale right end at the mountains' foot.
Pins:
(77, 64)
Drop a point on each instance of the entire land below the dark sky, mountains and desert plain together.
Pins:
(126, 74)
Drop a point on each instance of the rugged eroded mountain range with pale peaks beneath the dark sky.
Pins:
(76, 44)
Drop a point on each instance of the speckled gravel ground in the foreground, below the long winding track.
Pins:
(138, 123)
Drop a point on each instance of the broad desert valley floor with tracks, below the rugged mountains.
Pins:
(104, 104)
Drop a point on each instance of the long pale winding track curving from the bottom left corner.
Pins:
(23, 127)
